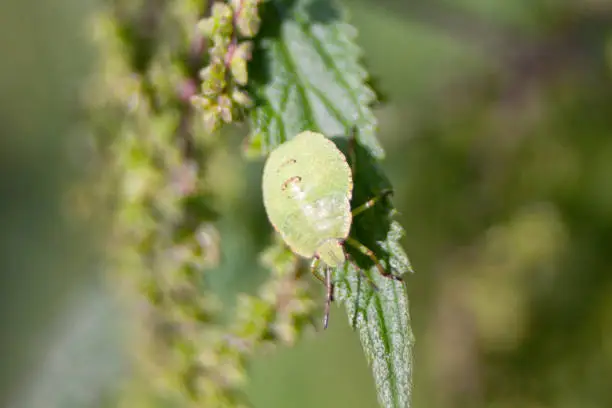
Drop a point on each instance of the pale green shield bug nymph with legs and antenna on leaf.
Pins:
(307, 191)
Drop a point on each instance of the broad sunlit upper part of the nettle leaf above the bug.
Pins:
(306, 75)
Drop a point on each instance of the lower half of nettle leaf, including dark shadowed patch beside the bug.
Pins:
(380, 316)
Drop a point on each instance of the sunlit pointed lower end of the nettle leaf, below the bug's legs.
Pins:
(382, 319)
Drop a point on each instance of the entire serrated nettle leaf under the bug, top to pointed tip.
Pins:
(306, 75)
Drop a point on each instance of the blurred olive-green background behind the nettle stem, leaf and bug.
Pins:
(497, 124)
